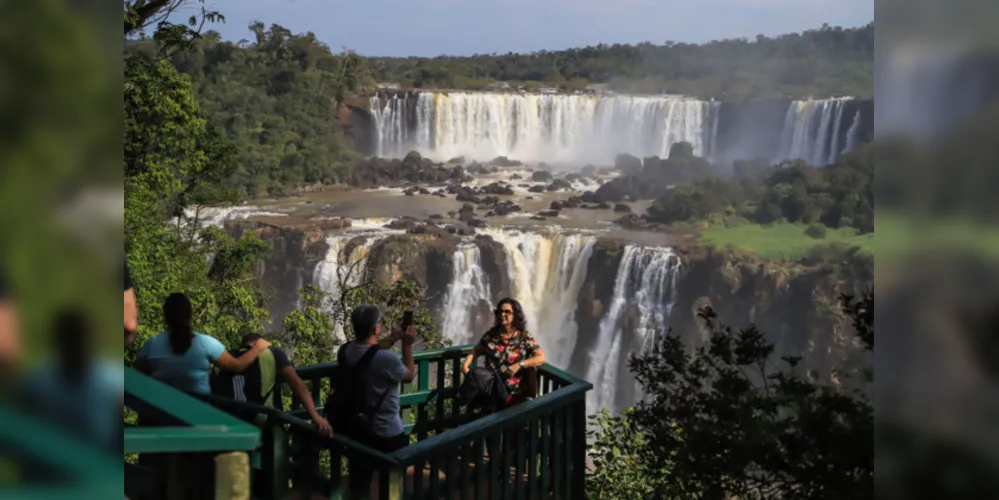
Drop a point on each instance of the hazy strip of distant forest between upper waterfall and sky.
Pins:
(822, 62)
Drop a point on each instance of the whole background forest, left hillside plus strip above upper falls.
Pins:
(274, 94)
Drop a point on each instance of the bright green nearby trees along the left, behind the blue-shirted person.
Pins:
(174, 159)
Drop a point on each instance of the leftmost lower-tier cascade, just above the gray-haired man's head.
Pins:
(344, 266)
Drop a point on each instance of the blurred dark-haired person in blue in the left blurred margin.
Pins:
(76, 392)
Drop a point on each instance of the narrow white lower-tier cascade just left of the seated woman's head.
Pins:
(468, 299)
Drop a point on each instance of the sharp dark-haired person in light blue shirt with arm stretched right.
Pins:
(182, 358)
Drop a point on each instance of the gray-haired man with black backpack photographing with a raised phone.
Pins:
(365, 401)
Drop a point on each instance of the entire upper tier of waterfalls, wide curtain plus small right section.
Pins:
(589, 129)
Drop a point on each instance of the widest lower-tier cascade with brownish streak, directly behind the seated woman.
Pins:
(546, 273)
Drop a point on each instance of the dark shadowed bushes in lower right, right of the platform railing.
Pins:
(729, 420)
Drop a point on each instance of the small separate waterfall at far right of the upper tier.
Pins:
(812, 131)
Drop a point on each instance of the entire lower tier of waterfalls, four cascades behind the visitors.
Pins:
(546, 272)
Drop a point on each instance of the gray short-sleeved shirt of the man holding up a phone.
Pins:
(383, 377)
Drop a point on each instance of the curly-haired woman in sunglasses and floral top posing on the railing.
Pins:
(511, 352)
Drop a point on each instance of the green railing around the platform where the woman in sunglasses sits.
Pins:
(534, 450)
